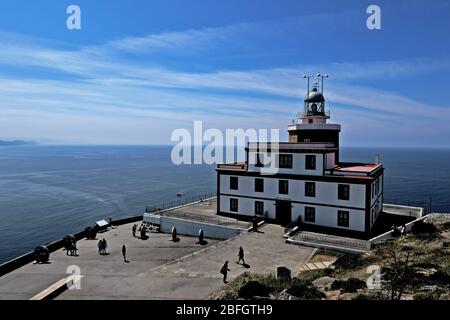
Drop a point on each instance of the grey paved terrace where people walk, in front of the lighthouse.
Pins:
(158, 269)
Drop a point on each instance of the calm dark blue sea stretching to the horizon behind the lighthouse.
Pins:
(47, 192)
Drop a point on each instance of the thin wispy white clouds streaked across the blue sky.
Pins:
(111, 89)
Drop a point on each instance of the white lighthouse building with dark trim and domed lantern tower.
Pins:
(311, 186)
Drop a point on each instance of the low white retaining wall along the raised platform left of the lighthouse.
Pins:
(191, 228)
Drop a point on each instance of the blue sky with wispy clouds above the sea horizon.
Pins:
(138, 69)
